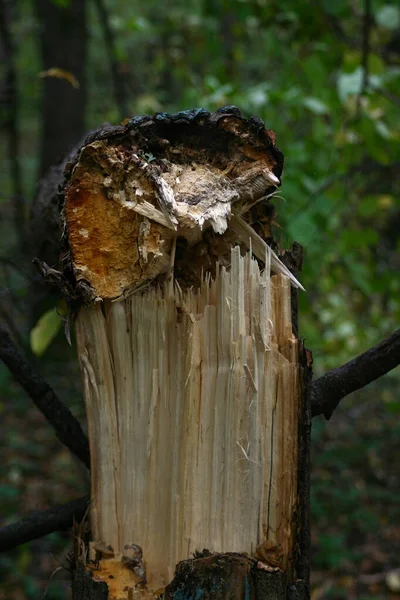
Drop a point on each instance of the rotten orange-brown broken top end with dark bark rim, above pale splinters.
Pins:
(140, 198)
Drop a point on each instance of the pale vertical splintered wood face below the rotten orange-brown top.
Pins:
(192, 400)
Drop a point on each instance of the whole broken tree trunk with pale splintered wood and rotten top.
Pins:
(194, 383)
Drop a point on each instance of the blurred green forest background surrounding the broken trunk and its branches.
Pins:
(325, 76)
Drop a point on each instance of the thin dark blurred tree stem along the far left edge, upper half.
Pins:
(10, 123)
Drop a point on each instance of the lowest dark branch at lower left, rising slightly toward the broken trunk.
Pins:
(42, 522)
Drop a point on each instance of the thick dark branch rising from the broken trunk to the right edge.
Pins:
(328, 390)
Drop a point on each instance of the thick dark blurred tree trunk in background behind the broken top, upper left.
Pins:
(63, 44)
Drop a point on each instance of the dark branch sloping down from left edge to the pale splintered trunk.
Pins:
(67, 428)
